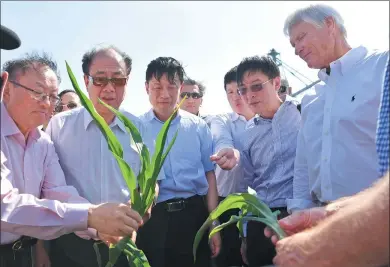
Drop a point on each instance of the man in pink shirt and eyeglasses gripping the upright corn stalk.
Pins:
(33, 188)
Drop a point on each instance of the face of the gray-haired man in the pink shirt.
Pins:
(23, 97)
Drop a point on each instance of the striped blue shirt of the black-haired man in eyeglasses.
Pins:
(268, 155)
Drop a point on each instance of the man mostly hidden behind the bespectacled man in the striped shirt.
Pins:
(226, 128)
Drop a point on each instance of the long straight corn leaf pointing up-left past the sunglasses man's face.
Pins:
(112, 141)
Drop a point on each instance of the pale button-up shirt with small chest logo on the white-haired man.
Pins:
(336, 154)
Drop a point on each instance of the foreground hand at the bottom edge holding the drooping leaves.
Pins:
(299, 250)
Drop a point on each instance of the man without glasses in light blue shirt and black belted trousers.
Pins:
(188, 188)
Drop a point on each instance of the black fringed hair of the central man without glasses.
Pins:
(165, 65)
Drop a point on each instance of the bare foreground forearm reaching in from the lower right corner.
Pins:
(359, 235)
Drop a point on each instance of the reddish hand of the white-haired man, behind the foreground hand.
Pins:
(298, 221)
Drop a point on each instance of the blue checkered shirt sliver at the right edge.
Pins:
(382, 139)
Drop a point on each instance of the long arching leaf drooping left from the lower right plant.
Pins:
(234, 201)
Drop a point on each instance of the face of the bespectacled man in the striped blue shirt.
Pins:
(258, 91)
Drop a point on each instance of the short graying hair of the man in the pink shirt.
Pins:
(28, 61)
